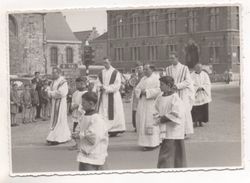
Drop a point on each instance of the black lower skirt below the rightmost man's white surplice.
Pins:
(200, 113)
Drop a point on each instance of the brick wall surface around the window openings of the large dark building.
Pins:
(224, 39)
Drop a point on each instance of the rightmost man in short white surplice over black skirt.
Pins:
(202, 88)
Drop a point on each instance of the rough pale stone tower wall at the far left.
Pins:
(26, 43)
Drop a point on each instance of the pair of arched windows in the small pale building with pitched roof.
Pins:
(54, 55)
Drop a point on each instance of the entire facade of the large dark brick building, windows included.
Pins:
(209, 35)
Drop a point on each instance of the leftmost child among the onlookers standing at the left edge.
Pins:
(14, 104)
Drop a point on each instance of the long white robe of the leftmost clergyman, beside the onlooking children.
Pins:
(59, 131)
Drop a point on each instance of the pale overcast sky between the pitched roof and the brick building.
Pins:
(80, 20)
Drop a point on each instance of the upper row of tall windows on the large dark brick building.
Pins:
(170, 21)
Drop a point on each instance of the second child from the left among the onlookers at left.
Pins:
(26, 104)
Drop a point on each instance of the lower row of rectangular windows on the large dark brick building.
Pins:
(153, 53)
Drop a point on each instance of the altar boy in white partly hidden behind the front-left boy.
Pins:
(76, 102)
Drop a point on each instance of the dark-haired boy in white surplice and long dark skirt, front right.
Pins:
(170, 117)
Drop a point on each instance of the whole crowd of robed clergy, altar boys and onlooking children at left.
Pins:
(165, 108)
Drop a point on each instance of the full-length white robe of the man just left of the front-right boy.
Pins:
(145, 111)
